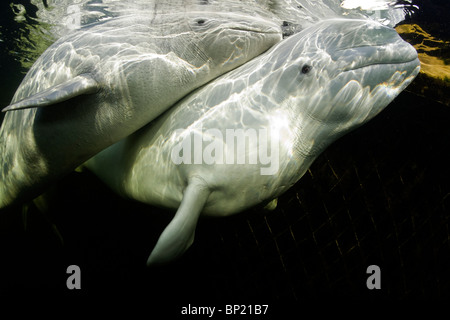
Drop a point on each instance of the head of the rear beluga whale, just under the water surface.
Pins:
(230, 39)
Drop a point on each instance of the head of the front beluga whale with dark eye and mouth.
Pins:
(337, 75)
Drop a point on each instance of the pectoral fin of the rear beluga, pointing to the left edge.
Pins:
(82, 84)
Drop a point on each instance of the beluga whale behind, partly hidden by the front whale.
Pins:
(103, 82)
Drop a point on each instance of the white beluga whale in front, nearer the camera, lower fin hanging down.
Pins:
(248, 136)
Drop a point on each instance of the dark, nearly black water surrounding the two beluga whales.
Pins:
(378, 196)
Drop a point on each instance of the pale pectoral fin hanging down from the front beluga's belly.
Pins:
(178, 236)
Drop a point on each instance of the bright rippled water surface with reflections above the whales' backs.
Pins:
(45, 21)
